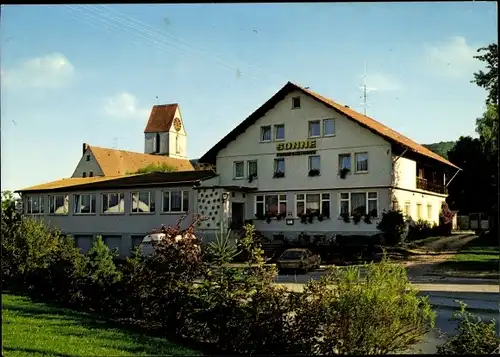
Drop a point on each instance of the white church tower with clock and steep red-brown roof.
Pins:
(165, 133)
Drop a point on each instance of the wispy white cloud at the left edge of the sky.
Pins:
(52, 71)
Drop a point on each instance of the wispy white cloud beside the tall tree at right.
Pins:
(453, 58)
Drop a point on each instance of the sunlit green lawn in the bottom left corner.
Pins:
(33, 329)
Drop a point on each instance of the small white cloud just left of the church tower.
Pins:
(124, 106)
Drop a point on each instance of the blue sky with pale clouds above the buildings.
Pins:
(91, 73)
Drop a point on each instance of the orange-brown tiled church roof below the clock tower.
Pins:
(120, 162)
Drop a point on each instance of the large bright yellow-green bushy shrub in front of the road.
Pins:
(378, 314)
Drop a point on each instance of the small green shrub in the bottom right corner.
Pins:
(474, 336)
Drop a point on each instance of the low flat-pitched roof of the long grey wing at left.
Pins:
(178, 178)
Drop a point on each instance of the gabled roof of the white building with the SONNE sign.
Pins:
(367, 122)
